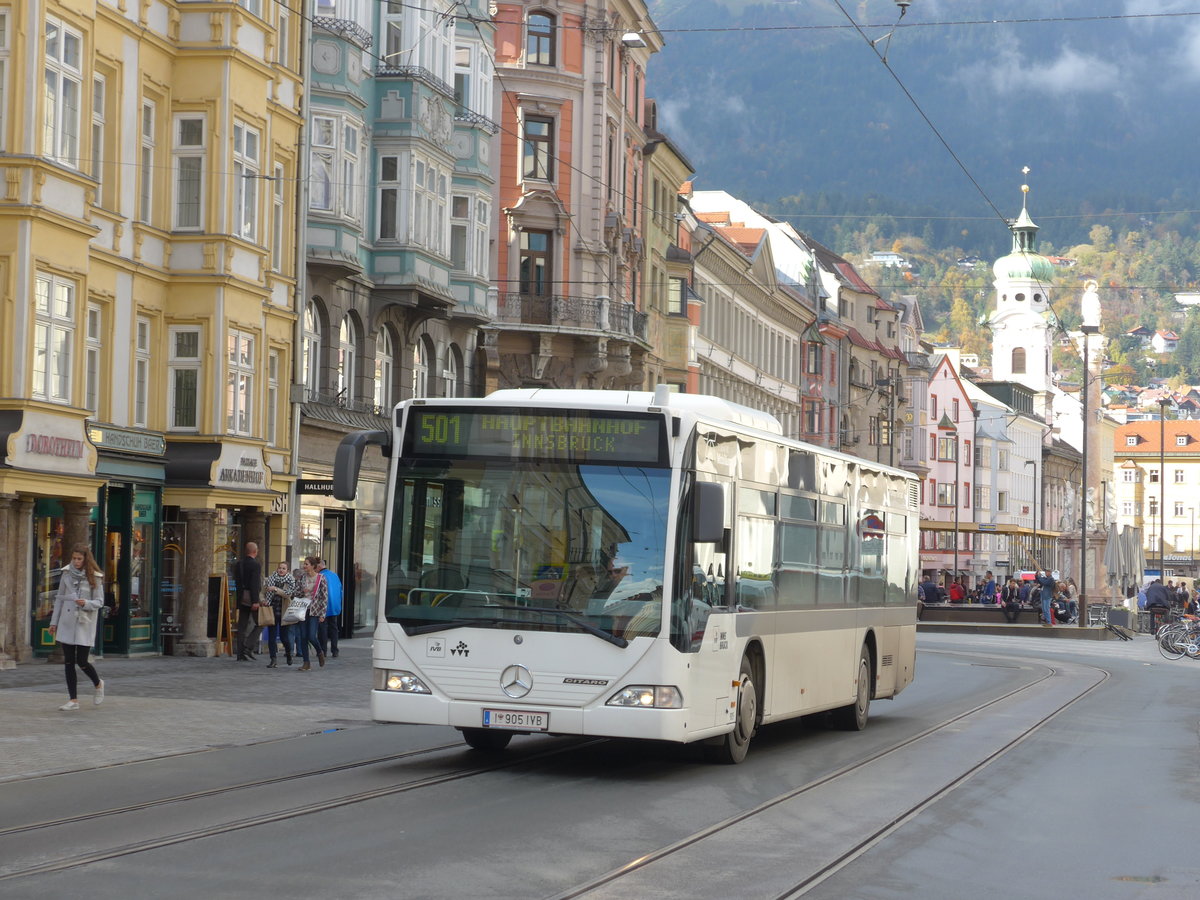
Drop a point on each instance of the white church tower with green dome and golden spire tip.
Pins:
(1023, 322)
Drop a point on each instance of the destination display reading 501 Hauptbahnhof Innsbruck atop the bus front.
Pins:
(568, 436)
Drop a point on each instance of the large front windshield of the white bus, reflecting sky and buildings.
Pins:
(531, 545)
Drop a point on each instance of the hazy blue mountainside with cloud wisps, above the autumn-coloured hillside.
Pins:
(1101, 110)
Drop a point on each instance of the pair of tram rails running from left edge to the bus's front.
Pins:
(266, 819)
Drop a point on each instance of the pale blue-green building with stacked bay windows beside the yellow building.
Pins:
(399, 248)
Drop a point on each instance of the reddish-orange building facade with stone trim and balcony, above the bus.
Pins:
(572, 232)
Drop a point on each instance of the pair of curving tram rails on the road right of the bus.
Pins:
(619, 881)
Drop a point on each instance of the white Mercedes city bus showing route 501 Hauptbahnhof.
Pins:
(637, 566)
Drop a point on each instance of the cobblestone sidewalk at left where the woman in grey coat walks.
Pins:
(161, 706)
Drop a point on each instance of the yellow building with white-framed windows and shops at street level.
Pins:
(147, 314)
